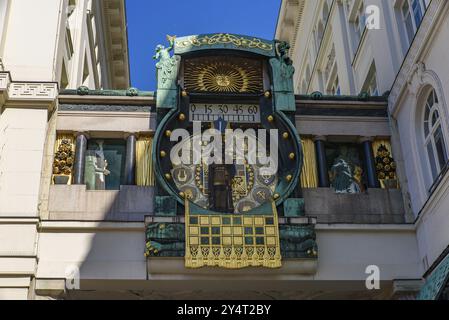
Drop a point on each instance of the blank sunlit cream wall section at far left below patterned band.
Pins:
(22, 141)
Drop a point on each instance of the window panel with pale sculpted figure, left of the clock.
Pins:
(105, 164)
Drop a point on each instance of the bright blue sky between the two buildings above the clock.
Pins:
(149, 21)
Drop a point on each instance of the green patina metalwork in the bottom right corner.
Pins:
(436, 282)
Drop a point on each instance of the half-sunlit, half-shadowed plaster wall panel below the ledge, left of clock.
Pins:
(113, 255)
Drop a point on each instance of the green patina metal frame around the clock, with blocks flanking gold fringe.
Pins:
(168, 239)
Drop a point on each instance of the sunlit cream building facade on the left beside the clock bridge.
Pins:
(45, 46)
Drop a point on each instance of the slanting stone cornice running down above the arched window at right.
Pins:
(409, 66)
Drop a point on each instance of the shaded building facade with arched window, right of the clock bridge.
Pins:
(394, 49)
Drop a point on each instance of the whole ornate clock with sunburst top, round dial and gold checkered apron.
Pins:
(241, 89)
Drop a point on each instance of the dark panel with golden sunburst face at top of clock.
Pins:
(223, 74)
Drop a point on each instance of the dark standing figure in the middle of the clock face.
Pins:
(220, 188)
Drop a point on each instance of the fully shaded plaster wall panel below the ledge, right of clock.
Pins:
(345, 254)
